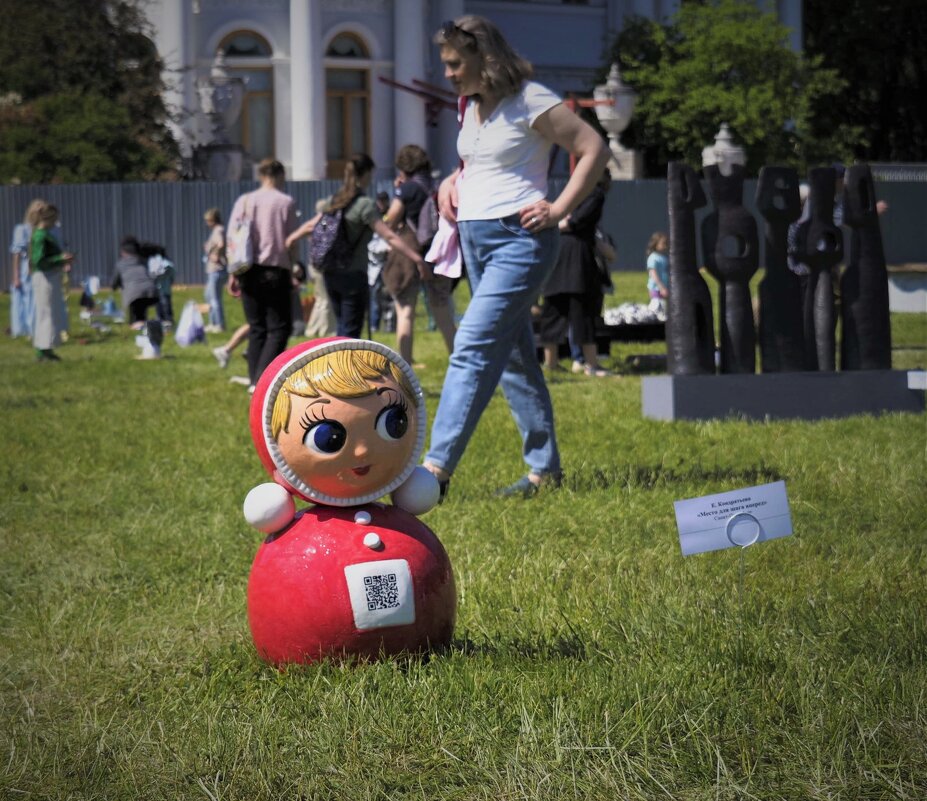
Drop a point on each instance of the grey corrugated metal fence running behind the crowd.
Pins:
(95, 217)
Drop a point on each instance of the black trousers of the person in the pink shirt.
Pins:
(267, 302)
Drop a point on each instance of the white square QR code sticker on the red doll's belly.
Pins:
(381, 593)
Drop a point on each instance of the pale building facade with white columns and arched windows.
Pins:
(320, 74)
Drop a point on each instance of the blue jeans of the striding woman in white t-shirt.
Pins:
(507, 267)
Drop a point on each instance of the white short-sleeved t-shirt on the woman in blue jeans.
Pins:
(506, 160)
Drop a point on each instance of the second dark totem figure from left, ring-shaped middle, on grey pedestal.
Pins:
(731, 251)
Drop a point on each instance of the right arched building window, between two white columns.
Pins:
(347, 91)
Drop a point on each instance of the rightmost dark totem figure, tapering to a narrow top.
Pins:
(866, 343)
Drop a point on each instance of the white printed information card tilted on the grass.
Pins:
(737, 518)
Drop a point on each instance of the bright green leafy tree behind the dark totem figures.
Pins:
(725, 61)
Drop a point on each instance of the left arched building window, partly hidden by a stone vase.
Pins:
(247, 56)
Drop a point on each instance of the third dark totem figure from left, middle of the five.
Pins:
(782, 340)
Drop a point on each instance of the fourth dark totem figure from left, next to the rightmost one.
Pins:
(820, 246)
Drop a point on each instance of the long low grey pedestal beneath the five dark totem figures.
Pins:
(804, 396)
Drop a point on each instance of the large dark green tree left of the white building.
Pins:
(81, 94)
